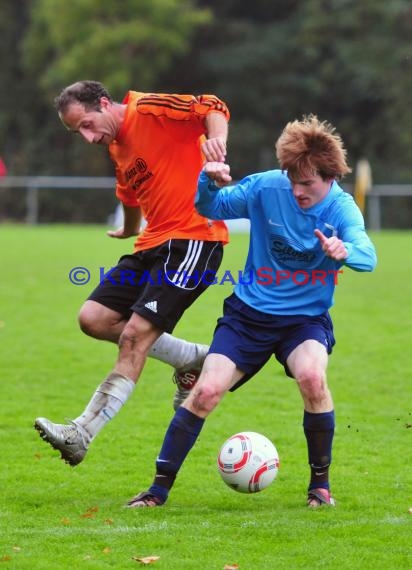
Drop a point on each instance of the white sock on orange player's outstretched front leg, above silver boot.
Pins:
(105, 404)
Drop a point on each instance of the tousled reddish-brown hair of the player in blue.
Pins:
(311, 146)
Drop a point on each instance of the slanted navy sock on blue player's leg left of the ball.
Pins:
(180, 437)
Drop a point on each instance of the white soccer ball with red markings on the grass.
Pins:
(248, 462)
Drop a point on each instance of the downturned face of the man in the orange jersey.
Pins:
(98, 127)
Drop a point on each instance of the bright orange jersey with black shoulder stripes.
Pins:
(158, 158)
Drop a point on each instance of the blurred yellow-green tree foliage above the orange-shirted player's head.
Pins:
(122, 44)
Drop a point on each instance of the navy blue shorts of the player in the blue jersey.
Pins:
(249, 337)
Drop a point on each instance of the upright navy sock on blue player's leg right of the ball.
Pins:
(319, 431)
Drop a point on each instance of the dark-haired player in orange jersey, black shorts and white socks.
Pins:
(158, 143)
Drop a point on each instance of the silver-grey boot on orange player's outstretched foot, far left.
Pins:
(69, 439)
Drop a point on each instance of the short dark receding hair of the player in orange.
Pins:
(87, 93)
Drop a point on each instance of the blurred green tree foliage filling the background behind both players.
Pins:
(270, 60)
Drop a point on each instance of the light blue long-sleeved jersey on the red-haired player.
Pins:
(286, 271)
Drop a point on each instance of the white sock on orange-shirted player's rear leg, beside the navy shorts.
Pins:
(178, 352)
